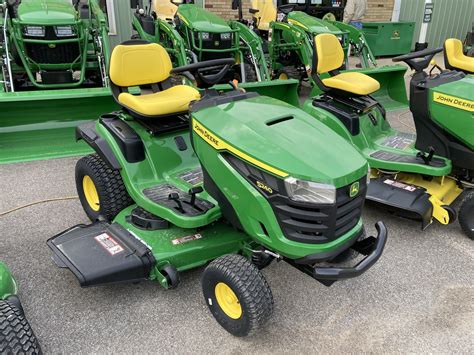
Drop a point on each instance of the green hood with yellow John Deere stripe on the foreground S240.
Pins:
(280, 139)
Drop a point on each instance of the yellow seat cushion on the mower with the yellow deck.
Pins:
(352, 82)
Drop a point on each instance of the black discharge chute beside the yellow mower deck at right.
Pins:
(402, 199)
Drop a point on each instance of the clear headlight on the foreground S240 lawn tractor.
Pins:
(308, 191)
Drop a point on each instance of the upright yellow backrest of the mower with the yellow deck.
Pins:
(329, 53)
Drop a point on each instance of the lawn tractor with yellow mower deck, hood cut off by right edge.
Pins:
(414, 176)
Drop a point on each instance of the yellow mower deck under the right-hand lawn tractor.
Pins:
(443, 190)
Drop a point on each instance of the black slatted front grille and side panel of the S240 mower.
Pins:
(305, 222)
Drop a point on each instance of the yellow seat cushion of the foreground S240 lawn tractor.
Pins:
(173, 100)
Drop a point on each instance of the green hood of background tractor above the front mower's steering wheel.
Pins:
(201, 20)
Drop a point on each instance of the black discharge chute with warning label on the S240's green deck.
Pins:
(102, 253)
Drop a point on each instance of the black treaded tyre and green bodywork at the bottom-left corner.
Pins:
(16, 335)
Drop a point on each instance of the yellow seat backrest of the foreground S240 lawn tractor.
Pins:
(135, 63)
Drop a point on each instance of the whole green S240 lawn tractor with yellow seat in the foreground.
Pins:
(224, 179)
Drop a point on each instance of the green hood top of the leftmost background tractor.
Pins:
(47, 12)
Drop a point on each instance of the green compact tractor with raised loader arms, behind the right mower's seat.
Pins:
(290, 36)
